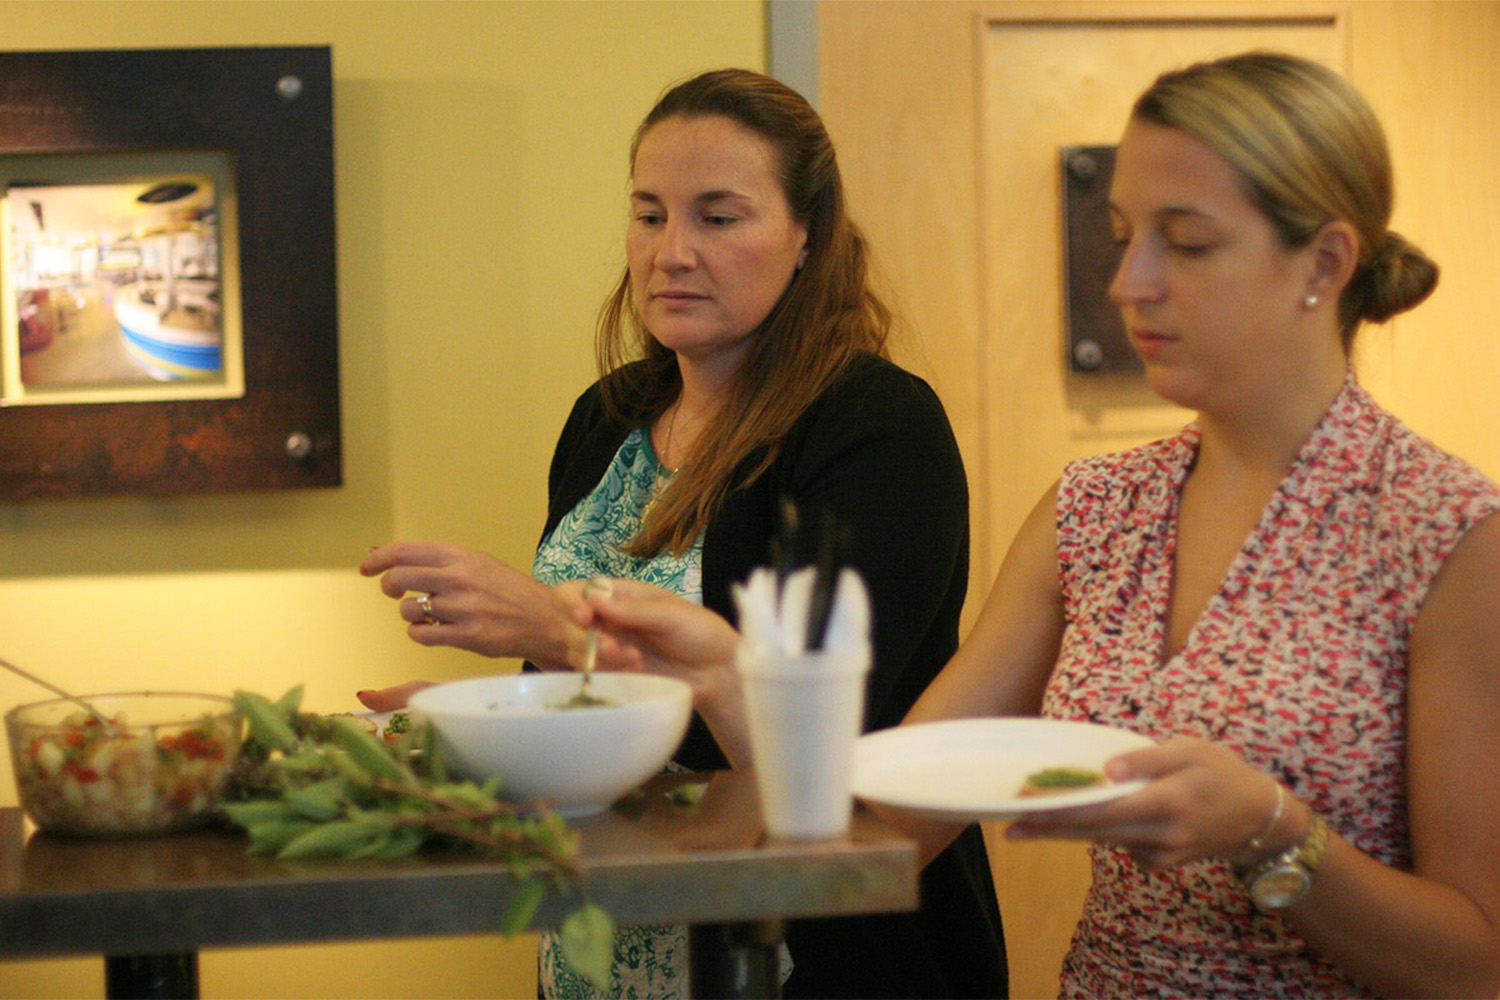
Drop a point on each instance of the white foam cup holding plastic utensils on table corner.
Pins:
(805, 716)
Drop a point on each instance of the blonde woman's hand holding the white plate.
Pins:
(1201, 801)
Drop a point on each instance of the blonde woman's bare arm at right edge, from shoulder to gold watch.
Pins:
(1436, 932)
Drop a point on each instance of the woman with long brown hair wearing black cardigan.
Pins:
(745, 365)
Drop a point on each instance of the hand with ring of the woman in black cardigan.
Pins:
(470, 600)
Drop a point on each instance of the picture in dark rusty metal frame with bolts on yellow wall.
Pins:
(169, 317)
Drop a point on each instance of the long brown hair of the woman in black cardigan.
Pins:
(827, 314)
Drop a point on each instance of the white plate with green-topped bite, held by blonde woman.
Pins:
(973, 768)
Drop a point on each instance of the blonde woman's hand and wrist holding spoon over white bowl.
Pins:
(656, 632)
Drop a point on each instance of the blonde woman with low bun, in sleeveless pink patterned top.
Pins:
(1294, 597)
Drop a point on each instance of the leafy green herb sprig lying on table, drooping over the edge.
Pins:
(322, 786)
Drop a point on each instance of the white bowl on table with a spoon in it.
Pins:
(578, 761)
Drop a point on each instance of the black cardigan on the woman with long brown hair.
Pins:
(877, 452)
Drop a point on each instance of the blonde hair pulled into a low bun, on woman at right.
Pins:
(1310, 152)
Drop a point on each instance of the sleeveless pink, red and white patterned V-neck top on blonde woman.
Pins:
(1298, 663)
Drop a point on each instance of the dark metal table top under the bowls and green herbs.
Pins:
(644, 861)
